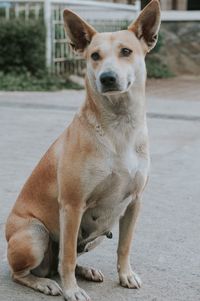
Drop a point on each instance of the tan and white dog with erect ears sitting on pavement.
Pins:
(95, 172)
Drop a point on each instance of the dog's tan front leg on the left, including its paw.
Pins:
(70, 219)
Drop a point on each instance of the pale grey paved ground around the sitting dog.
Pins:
(166, 249)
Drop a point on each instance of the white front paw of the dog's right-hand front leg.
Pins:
(130, 280)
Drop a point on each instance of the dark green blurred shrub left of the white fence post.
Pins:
(22, 46)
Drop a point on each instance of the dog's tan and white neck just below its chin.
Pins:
(118, 109)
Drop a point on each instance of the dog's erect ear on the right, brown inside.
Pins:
(147, 25)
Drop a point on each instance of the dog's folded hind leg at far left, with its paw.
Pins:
(26, 253)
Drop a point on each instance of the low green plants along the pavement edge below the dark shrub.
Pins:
(28, 82)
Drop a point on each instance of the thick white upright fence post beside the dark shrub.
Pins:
(47, 19)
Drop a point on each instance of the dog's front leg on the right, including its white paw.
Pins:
(127, 277)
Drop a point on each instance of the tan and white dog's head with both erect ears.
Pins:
(114, 60)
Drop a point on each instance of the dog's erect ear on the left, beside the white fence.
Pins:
(79, 32)
